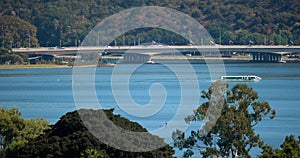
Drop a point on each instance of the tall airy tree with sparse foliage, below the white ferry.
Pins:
(233, 133)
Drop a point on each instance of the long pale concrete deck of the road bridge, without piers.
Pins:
(162, 49)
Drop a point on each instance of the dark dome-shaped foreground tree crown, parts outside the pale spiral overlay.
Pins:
(70, 138)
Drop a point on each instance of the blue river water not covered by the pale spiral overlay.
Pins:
(48, 93)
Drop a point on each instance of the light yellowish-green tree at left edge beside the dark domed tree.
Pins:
(16, 132)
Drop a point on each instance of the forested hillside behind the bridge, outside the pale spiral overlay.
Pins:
(66, 23)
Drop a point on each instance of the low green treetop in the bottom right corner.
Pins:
(289, 148)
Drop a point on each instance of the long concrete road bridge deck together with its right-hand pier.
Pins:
(260, 53)
